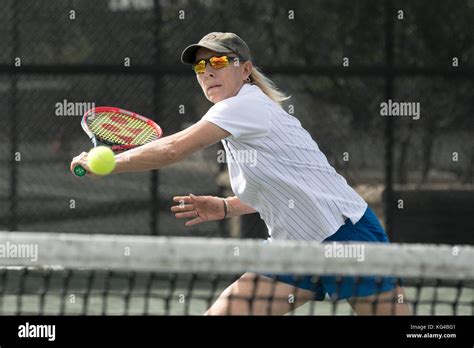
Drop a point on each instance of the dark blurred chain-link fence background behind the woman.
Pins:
(416, 174)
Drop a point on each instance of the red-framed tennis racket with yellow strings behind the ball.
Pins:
(118, 129)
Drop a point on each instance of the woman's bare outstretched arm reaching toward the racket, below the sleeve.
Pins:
(170, 149)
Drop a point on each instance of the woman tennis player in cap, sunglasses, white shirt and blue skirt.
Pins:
(297, 192)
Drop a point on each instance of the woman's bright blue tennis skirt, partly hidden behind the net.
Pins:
(367, 229)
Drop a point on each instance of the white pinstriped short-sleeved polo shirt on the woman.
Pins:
(277, 168)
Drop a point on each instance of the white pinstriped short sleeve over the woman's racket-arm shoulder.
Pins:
(244, 116)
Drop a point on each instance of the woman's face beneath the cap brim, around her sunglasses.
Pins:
(220, 84)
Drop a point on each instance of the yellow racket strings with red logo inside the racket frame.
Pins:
(121, 129)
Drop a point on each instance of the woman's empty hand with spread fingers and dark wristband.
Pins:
(198, 208)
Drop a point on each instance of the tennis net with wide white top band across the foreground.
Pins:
(70, 274)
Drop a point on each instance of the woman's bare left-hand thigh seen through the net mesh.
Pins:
(253, 294)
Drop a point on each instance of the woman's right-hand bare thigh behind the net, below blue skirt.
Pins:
(385, 303)
